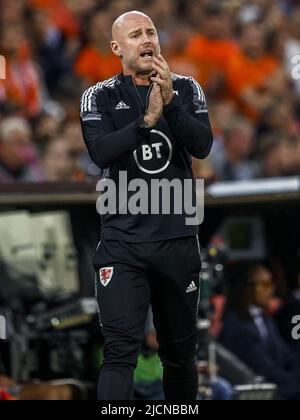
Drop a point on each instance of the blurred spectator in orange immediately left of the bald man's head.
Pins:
(96, 61)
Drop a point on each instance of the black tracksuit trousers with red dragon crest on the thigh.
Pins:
(129, 277)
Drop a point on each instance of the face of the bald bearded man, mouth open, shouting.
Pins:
(137, 43)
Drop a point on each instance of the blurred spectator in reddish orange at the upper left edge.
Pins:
(21, 90)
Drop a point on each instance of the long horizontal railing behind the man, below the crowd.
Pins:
(66, 194)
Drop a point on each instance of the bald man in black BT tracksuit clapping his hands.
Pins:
(147, 122)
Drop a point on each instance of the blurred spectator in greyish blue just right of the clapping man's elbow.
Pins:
(233, 163)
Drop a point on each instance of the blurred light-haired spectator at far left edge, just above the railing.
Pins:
(18, 155)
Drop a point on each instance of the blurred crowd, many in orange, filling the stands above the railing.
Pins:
(244, 53)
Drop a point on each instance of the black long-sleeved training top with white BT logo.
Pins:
(111, 113)
